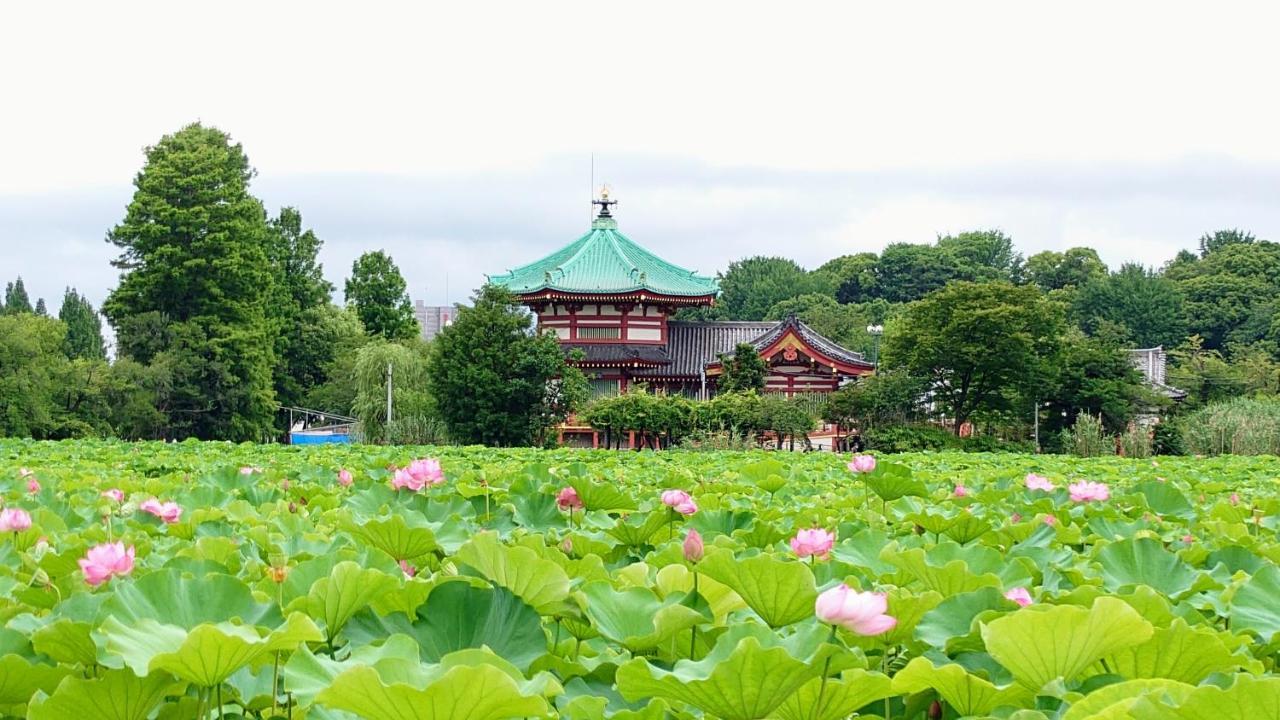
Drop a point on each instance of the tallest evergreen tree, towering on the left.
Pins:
(195, 259)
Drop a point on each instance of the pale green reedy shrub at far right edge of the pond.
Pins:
(1235, 427)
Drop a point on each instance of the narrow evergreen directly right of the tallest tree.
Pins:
(301, 294)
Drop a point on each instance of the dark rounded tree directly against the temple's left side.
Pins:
(497, 382)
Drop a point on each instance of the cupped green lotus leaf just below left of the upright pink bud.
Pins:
(636, 617)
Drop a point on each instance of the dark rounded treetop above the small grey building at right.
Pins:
(1148, 306)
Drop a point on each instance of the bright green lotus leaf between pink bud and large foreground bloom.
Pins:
(779, 591)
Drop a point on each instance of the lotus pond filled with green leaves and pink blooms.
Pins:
(217, 581)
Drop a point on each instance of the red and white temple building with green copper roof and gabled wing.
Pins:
(614, 300)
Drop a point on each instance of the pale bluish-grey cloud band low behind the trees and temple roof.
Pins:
(456, 230)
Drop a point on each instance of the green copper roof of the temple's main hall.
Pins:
(606, 262)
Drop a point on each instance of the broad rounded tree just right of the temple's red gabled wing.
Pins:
(977, 344)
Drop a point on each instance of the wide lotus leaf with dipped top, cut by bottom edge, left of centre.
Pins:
(465, 692)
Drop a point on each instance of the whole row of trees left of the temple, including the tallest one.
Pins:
(223, 316)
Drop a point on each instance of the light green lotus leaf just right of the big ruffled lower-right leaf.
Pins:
(1177, 653)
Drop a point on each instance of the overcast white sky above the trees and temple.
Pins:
(458, 136)
